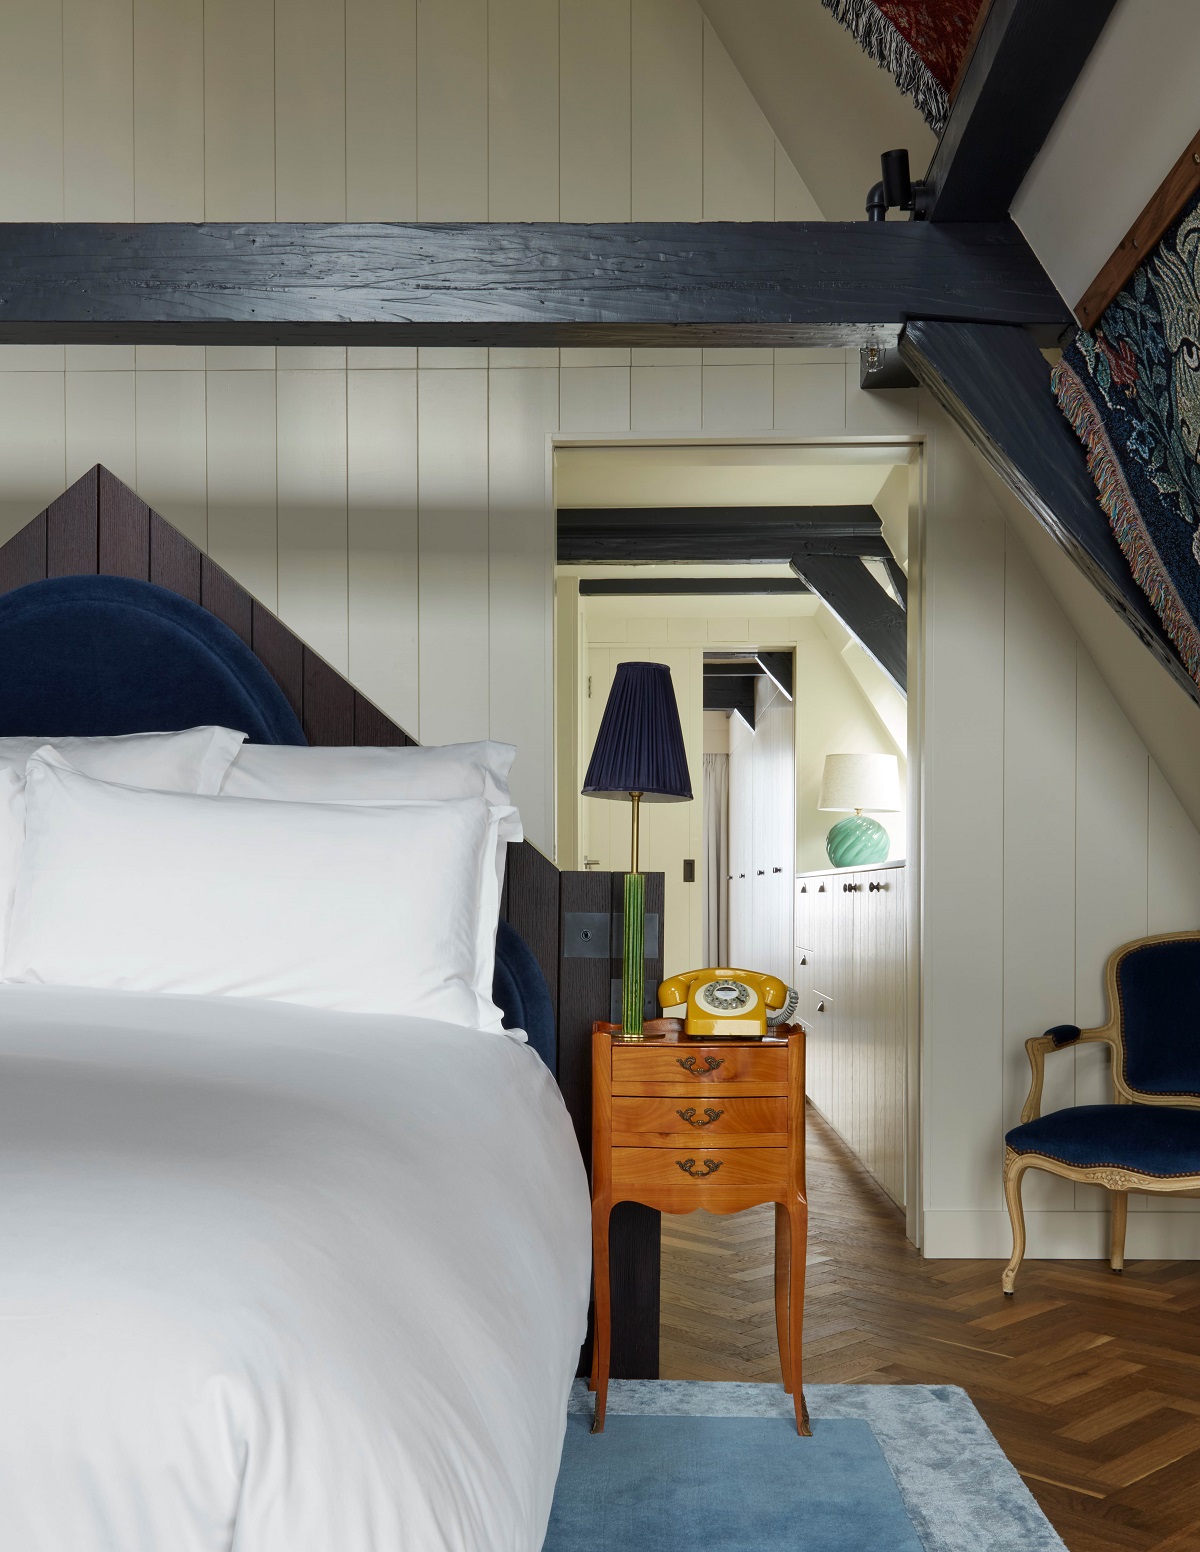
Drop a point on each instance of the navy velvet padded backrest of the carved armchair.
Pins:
(1159, 988)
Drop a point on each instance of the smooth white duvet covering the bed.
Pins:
(276, 1280)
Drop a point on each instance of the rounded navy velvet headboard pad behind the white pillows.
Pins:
(94, 656)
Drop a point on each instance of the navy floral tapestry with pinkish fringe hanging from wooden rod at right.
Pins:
(1131, 389)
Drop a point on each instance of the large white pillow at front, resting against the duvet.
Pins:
(362, 909)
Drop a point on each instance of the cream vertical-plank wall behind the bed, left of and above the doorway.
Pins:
(394, 507)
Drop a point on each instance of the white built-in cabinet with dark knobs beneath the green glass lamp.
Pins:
(851, 974)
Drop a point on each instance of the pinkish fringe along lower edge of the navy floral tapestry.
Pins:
(1125, 519)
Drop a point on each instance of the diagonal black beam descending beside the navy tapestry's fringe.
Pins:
(996, 384)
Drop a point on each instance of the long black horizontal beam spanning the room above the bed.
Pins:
(504, 283)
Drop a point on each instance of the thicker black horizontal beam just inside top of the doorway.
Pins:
(716, 533)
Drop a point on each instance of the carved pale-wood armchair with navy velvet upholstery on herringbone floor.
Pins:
(1150, 1137)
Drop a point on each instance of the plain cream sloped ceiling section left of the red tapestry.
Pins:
(831, 108)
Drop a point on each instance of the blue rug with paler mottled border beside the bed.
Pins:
(890, 1469)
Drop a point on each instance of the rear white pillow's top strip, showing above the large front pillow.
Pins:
(372, 775)
